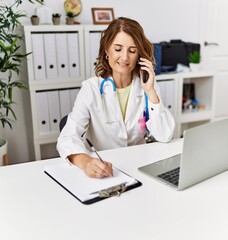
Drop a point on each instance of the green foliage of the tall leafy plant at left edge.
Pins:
(10, 59)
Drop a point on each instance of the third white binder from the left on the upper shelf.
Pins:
(62, 54)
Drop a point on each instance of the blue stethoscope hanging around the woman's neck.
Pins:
(148, 137)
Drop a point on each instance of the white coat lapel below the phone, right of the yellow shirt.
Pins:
(134, 98)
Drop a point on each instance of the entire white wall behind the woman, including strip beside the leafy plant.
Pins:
(162, 20)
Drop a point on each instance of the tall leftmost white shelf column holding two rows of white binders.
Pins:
(55, 72)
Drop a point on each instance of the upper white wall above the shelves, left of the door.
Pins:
(161, 19)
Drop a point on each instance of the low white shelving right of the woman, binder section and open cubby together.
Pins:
(204, 94)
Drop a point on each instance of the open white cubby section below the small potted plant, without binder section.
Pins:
(204, 94)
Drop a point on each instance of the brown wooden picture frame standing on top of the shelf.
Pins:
(102, 15)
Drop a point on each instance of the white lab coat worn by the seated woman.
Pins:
(99, 118)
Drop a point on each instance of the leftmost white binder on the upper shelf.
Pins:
(38, 56)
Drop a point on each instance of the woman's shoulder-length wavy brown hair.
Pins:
(132, 28)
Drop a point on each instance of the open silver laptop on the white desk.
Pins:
(204, 155)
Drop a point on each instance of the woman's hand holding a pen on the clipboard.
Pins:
(93, 167)
